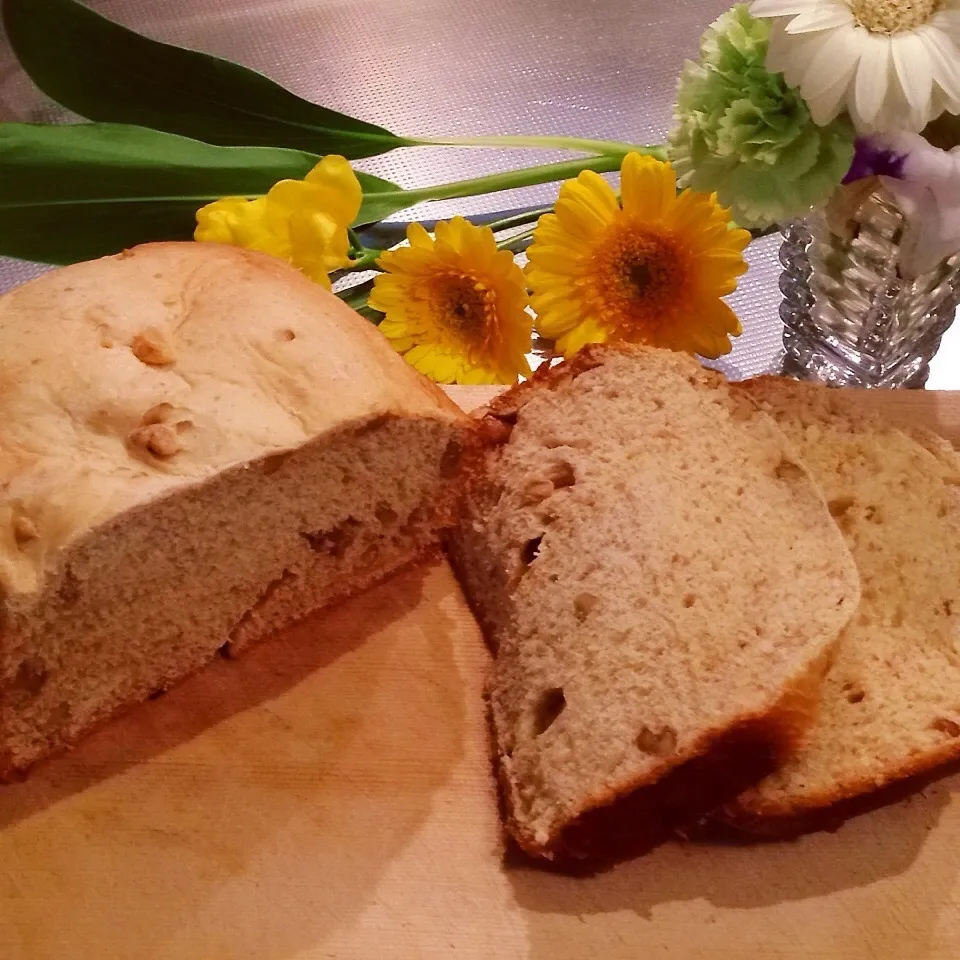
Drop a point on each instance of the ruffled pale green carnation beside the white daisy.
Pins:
(743, 134)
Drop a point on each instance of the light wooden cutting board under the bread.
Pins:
(329, 796)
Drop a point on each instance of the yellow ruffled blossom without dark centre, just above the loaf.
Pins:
(301, 221)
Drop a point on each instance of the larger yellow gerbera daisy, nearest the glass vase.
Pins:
(651, 270)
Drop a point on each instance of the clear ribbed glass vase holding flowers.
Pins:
(850, 318)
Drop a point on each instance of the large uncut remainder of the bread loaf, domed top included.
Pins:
(197, 446)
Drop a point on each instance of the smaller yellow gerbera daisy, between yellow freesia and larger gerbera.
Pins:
(456, 306)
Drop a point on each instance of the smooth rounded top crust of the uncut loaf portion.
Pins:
(125, 378)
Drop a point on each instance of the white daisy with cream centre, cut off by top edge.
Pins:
(893, 64)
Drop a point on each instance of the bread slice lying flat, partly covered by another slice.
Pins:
(891, 700)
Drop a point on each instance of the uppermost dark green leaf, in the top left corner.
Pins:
(104, 71)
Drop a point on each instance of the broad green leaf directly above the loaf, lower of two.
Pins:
(70, 193)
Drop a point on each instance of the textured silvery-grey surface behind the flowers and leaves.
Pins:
(592, 68)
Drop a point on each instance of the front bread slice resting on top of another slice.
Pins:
(657, 575)
